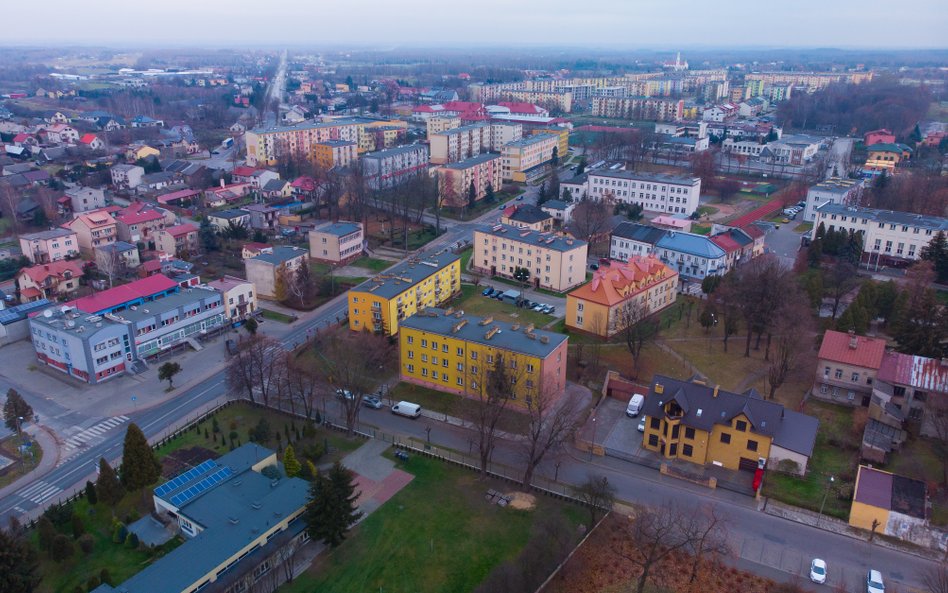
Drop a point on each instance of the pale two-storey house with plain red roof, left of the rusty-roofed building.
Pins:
(847, 366)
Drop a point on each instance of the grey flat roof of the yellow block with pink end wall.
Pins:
(434, 321)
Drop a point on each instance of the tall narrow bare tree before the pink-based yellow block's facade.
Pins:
(494, 393)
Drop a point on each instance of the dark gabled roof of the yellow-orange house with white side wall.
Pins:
(788, 429)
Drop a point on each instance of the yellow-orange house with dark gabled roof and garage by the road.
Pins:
(705, 425)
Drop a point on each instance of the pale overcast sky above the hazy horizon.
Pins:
(631, 23)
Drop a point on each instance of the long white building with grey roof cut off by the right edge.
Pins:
(888, 237)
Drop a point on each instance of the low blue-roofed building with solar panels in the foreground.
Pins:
(238, 524)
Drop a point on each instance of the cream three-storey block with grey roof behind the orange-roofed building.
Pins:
(553, 262)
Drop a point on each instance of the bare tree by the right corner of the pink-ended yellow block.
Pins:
(553, 418)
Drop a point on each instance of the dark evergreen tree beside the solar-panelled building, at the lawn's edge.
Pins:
(331, 510)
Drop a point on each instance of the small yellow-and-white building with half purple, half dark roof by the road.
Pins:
(889, 504)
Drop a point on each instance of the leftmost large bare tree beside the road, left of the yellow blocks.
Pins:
(257, 368)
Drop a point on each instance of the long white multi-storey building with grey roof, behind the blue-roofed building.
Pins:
(654, 191)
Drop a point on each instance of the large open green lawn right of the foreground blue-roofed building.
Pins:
(438, 534)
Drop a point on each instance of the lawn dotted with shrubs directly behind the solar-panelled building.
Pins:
(241, 418)
